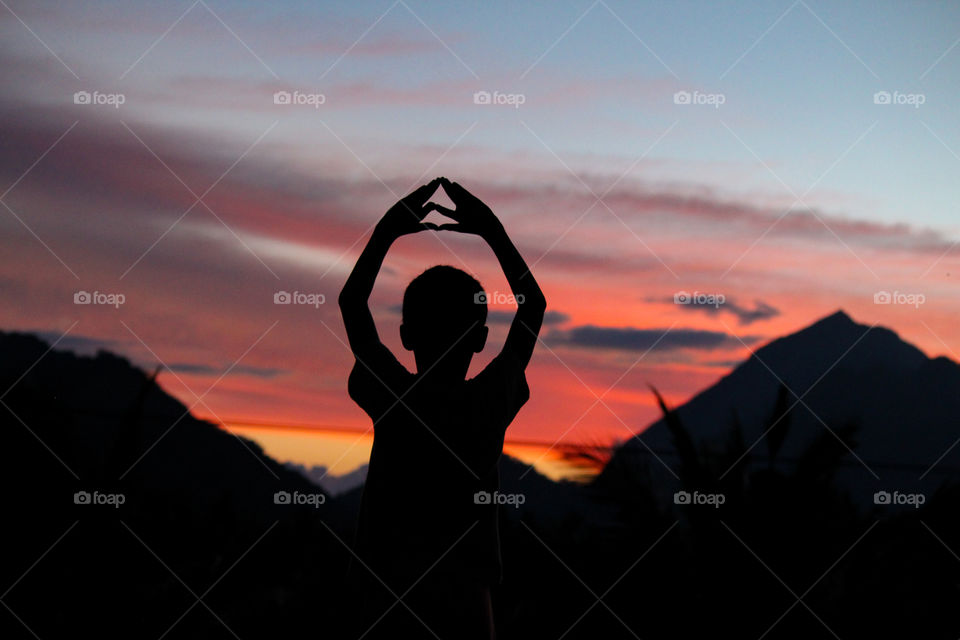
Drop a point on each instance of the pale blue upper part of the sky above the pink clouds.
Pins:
(798, 79)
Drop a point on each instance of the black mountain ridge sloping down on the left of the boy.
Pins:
(114, 424)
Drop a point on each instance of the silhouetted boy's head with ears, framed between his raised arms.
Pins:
(444, 316)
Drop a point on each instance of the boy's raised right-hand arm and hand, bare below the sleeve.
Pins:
(473, 216)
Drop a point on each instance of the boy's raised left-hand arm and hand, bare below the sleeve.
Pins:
(405, 217)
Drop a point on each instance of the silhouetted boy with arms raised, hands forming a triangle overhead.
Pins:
(427, 533)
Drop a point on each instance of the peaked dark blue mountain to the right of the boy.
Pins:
(902, 407)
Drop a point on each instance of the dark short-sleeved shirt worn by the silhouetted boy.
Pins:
(434, 450)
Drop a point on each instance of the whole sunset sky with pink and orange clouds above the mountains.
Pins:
(789, 186)
